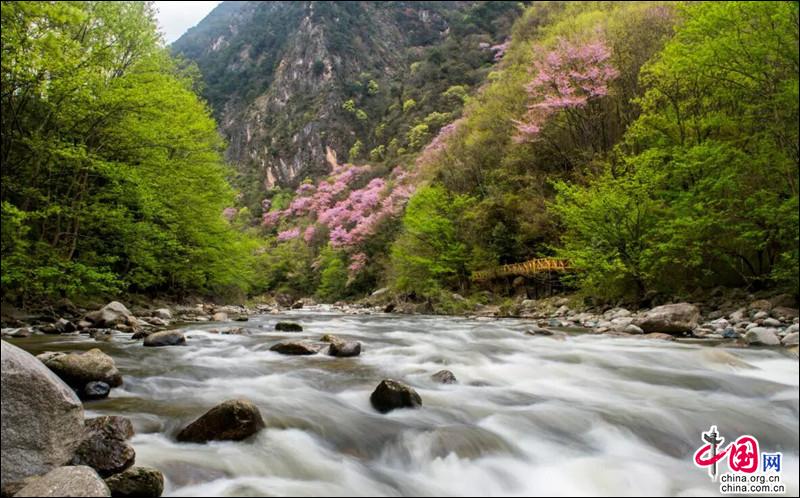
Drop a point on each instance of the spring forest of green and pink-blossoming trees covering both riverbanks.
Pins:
(654, 145)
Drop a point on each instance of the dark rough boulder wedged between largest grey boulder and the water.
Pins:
(105, 447)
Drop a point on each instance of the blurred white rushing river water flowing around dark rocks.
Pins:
(588, 415)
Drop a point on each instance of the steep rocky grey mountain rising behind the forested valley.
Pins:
(288, 81)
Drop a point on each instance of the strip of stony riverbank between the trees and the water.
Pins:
(734, 318)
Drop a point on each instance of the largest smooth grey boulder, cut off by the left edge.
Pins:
(42, 419)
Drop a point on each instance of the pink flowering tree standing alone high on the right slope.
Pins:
(567, 78)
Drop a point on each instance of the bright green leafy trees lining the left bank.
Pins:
(112, 176)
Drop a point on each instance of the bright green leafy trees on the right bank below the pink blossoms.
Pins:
(705, 191)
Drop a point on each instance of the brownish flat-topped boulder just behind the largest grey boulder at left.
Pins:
(78, 369)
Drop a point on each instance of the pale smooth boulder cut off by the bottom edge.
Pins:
(66, 481)
